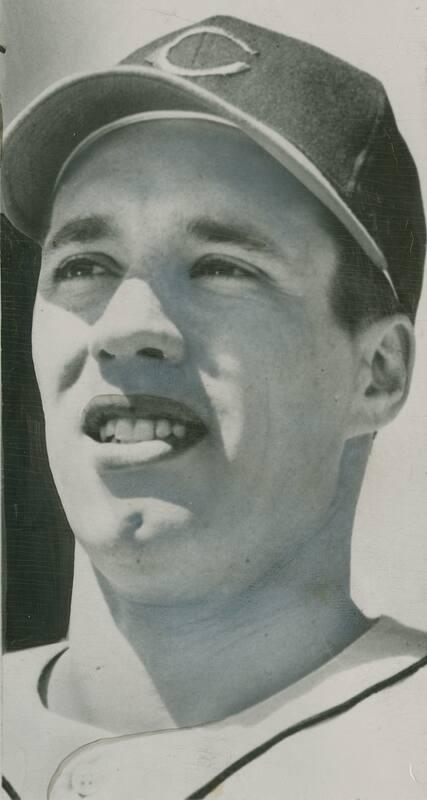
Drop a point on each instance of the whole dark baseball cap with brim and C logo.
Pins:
(330, 124)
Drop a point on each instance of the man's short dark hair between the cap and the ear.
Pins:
(359, 292)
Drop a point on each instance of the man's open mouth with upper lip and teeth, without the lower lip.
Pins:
(132, 419)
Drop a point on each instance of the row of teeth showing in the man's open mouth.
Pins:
(140, 430)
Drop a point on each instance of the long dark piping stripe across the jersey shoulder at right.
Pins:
(310, 722)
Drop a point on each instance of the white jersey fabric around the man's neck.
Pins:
(375, 751)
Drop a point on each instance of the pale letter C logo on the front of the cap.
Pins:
(160, 57)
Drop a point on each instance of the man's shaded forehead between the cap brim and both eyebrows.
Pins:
(169, 172)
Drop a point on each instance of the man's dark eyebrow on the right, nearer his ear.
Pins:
(244, 235)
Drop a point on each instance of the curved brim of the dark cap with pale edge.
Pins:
(42, 137)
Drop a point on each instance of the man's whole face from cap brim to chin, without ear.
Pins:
(197, 390)
